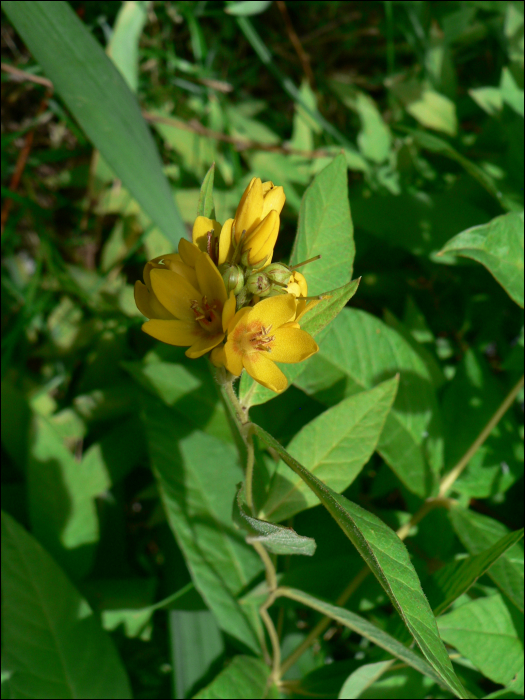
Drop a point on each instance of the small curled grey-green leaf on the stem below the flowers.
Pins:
(275, 538)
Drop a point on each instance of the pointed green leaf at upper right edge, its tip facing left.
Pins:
(498, 246)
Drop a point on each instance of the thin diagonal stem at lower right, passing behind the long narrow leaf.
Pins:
(440, 500)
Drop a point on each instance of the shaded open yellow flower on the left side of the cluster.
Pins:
(184, 298)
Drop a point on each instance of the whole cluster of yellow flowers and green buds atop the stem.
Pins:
(221, 294)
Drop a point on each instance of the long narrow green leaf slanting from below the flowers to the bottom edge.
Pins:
(388, 559)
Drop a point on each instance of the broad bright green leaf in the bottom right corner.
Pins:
(488, 632)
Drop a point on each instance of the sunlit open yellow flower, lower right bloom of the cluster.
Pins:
(261, 335)
